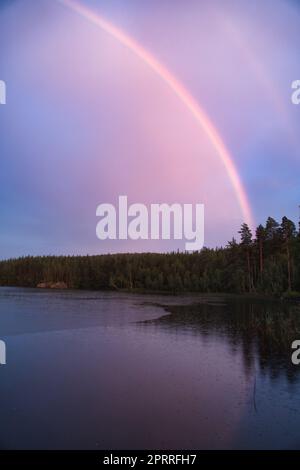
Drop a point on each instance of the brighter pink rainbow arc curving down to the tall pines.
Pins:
(180, 91)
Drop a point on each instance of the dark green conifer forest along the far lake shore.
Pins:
(266, 262)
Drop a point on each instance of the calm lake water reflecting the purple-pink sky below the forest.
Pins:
(115, 371)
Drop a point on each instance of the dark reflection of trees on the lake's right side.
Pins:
(262, 330)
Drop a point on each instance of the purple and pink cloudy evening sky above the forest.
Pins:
(89, 117)
